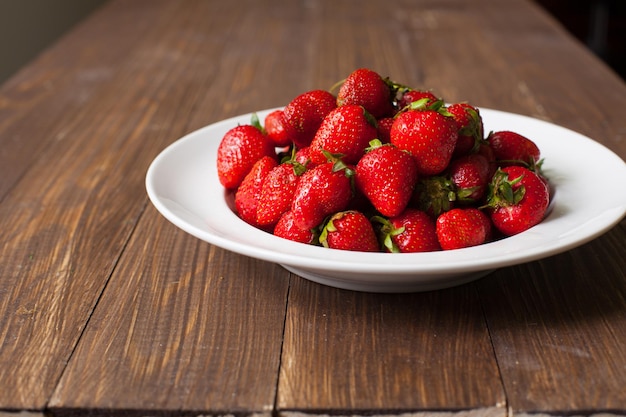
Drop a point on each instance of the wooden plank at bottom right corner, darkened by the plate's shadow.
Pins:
(559, 329)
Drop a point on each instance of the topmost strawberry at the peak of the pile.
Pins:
(367, 88)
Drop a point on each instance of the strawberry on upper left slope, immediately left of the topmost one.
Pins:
(304, 114)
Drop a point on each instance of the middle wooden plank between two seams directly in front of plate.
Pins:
(393, 353)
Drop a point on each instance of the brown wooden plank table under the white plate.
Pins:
(108, 309)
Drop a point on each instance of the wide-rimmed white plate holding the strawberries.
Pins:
(182, 184)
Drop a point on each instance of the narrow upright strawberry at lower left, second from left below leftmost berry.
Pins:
(277, 191)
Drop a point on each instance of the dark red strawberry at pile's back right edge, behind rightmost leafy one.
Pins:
(511, 148)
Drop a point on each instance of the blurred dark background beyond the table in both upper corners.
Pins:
(29, 26)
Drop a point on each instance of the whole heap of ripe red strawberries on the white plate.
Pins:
(382, 167)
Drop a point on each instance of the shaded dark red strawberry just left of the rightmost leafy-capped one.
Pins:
(470, 175)
